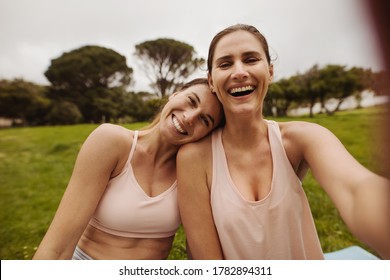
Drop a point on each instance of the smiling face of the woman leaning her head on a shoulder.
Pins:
(190, 115)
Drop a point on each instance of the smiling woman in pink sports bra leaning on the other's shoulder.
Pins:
(120, 202)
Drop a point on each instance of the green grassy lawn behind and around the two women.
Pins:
(36, 163)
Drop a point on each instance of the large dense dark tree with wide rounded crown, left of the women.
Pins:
(89, 77)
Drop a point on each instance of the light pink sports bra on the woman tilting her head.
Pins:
(126, 210)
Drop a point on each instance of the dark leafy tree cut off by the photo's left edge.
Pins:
(23, 100)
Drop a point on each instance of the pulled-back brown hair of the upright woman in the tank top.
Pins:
(249, 28)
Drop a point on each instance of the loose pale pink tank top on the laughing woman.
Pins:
(280, 226)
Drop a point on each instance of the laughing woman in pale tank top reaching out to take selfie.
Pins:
(247, 176)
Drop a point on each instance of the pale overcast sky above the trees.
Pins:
(300, 33)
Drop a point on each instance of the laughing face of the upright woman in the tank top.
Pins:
(240, 73)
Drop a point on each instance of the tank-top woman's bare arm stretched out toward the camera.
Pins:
(361, 196)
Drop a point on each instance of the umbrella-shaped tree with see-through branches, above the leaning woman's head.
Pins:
(167, 63)
